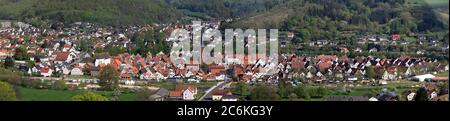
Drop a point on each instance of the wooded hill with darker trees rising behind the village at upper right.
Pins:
(327, 19)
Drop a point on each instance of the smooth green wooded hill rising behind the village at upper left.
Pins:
(111, 12)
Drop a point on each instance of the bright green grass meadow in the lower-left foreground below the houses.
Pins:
(30, 94)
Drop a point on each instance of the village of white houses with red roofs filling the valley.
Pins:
(56, 54)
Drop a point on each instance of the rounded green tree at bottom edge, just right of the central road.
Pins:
(264, 93)
